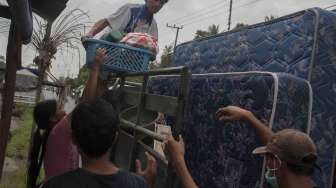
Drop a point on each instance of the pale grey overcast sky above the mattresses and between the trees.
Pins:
(192, 14)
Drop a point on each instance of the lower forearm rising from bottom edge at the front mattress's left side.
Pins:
(183, 174)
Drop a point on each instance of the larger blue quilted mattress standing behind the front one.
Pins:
(302, 44)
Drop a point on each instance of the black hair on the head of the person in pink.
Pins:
(43, 112)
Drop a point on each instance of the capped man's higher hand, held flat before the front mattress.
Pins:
(231, 113)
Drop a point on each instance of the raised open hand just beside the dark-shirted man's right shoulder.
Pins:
(149, 174)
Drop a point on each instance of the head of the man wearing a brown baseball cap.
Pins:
(289, 152)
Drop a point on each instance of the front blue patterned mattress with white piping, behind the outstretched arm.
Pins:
(219, 154)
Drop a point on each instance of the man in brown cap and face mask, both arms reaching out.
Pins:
(290, 154)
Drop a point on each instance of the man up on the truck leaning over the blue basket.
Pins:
(131, 18)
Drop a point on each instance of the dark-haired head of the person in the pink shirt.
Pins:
(47, 113)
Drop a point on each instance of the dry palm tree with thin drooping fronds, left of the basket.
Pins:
(49, 38)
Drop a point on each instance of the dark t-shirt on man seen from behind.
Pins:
(83, 179)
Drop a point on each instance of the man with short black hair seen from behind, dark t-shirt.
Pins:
(94, 127)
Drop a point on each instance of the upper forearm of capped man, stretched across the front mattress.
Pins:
(264, 132)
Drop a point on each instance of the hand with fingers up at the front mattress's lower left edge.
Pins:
(174, 149)
